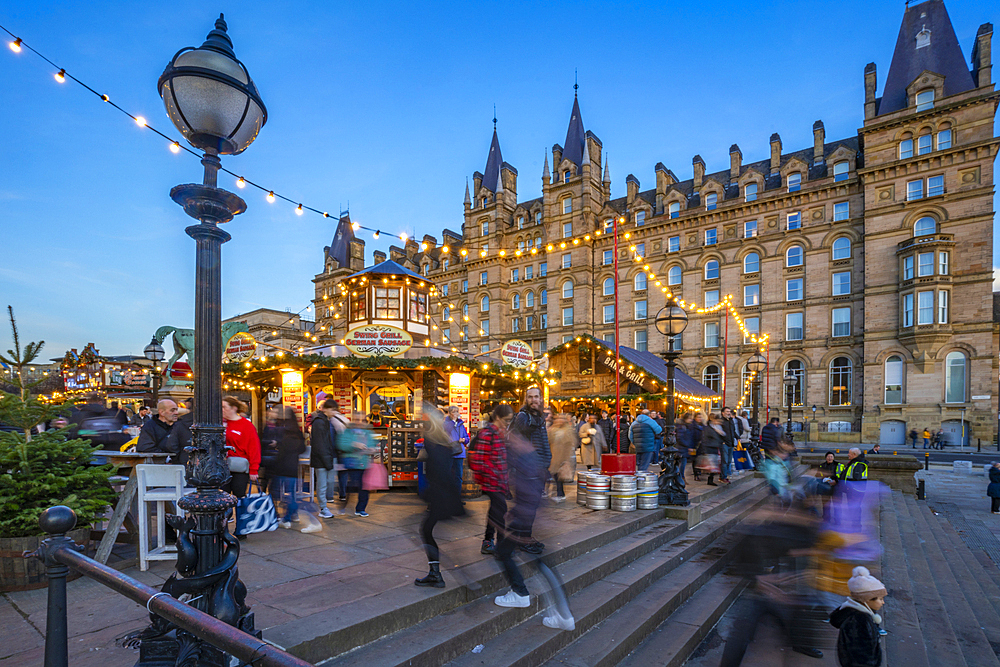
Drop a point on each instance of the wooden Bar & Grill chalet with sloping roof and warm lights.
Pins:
(586, 367)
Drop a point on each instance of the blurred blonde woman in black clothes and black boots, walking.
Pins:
(443, 493)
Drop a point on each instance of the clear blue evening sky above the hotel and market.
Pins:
(387, 106)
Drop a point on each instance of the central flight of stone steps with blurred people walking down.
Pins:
(622, 584)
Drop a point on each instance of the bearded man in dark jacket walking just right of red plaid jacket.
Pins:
(529, 426)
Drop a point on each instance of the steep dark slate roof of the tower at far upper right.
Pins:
(943, 56)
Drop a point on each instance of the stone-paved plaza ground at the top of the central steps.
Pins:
(289, 574)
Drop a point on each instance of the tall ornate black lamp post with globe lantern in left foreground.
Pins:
(212, 100)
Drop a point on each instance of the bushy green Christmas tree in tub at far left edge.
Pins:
(39, 469)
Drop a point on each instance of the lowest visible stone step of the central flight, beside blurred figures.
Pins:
(675, 639)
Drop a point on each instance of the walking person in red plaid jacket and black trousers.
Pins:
(488, 462)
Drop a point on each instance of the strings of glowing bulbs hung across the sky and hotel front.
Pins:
(531, 246)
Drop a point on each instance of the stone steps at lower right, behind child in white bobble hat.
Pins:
(944, 604)
